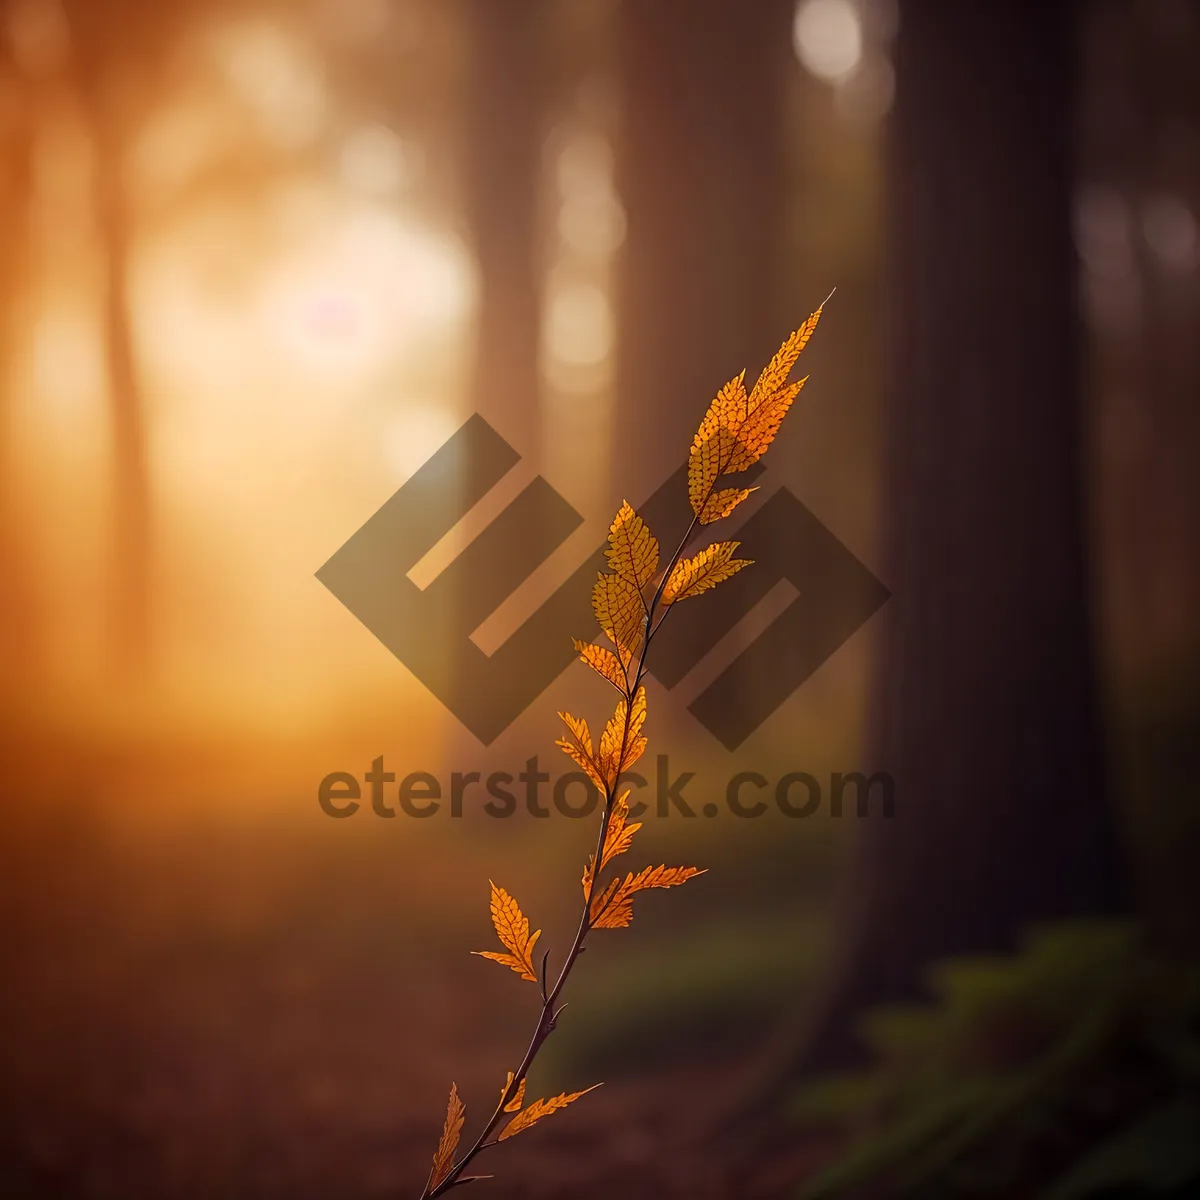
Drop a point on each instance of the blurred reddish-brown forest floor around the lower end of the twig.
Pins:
(211, 1015)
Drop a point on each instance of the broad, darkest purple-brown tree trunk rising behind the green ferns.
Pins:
(986, 711)
